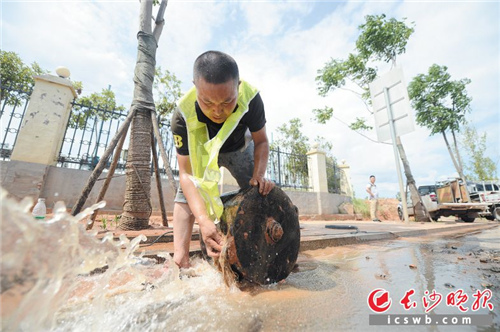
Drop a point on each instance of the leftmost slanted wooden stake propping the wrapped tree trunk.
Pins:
(102, 163)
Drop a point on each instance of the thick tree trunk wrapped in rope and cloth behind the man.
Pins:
(137, 206)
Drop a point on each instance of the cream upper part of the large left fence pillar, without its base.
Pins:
(44, 124)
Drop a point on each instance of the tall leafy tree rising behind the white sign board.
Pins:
(380, 39)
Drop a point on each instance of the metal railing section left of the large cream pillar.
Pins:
(14, 102)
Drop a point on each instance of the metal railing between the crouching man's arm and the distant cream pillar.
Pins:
(288, 170)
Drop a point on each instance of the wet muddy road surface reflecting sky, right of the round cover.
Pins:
(432, 266)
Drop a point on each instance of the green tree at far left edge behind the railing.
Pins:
(14, 73)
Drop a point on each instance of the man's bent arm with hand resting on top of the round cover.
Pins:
(261, 155)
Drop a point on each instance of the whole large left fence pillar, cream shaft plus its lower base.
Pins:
(40, 137)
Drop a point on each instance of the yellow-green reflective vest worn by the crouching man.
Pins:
(204, 152)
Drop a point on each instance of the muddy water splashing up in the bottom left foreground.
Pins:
(56, 276)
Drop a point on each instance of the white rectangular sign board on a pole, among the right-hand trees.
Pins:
(402, 114)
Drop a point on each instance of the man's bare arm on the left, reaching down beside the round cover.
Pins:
(196, 203)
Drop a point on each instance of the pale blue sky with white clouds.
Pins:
(279, 47)
